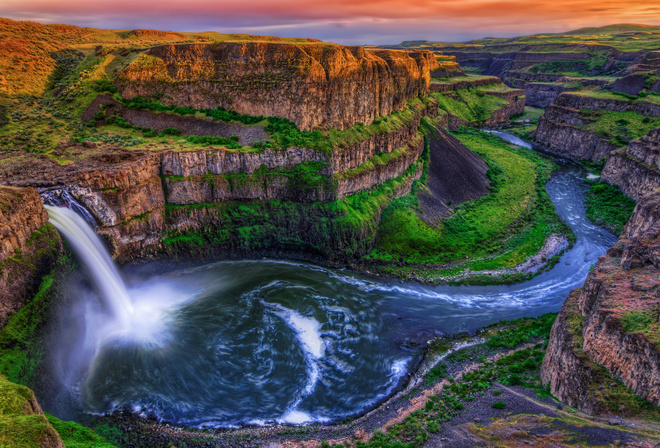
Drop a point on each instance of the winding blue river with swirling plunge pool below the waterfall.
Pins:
(259, 342)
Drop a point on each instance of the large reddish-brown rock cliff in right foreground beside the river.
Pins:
(609, 327)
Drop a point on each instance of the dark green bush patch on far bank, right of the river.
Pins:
(608, 207)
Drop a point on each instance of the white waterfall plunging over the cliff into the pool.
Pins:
(95, 258)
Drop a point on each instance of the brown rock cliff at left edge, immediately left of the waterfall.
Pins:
(28, 247)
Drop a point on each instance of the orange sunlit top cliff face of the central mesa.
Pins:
(312, 85)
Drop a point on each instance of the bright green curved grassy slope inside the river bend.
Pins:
(499, 230)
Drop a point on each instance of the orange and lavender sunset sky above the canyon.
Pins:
(342, 21)
